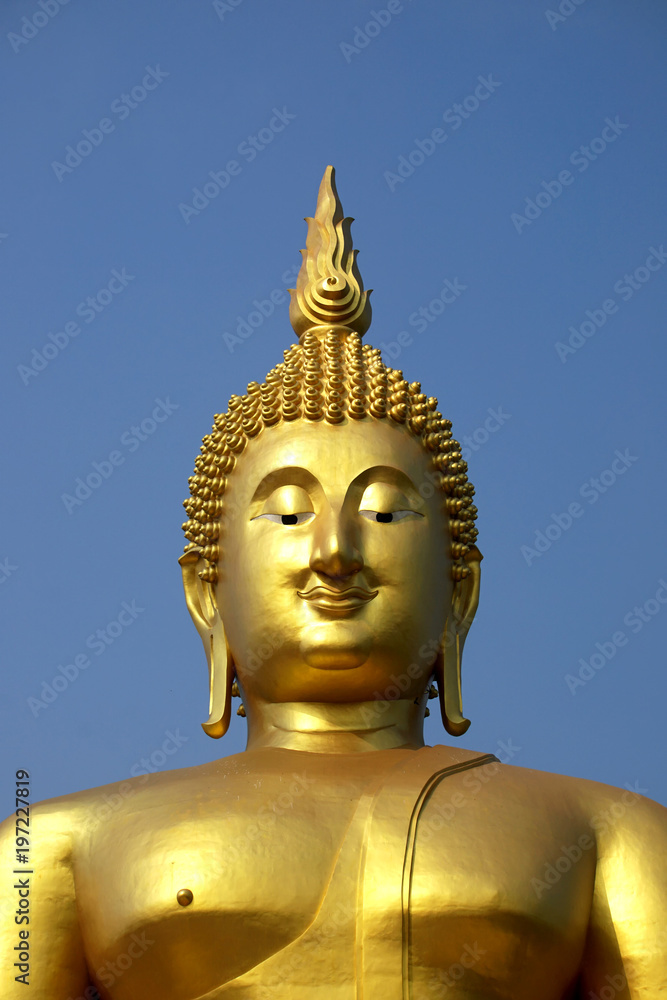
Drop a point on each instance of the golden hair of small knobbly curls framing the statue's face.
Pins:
(328, 376)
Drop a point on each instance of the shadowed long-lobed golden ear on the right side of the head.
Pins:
(465, 598)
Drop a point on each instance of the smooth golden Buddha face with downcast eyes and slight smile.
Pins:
(334, 576)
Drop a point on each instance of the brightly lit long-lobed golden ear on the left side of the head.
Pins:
(203, 608)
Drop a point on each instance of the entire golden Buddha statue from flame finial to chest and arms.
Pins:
(332, 574)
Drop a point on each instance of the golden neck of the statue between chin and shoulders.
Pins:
(324, 727)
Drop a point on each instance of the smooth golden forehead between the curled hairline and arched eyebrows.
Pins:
(335, 454)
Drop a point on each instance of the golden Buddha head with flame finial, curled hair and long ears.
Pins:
(331, 553)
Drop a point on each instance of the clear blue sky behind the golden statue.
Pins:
(560, 118)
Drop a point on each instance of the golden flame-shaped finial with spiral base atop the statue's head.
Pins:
(329, 290)
